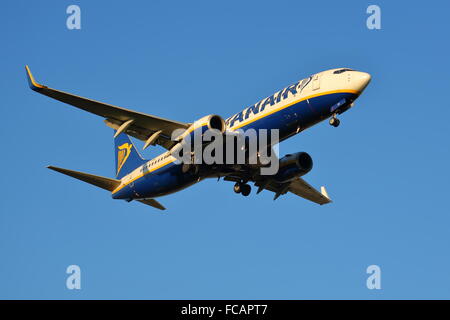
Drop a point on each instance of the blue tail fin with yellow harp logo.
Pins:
(127, 157)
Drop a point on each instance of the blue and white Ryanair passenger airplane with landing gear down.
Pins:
(293, 109)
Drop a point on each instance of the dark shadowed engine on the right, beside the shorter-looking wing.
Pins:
(293, 165)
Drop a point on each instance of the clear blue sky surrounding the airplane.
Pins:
(386, 166)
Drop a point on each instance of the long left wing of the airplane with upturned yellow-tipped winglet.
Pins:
(139, 125)
